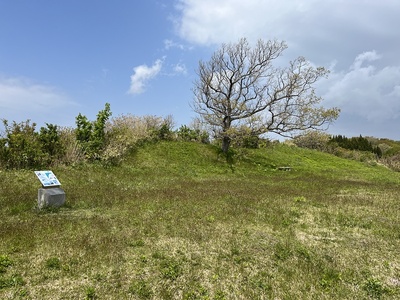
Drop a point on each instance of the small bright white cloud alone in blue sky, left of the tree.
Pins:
(142, 74)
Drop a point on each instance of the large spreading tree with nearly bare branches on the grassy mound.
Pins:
(239, 87)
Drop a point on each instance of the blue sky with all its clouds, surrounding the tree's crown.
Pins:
(61, 58)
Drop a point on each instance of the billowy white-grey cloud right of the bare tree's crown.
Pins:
(365, 90)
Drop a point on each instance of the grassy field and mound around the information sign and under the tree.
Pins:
(177, 222)
